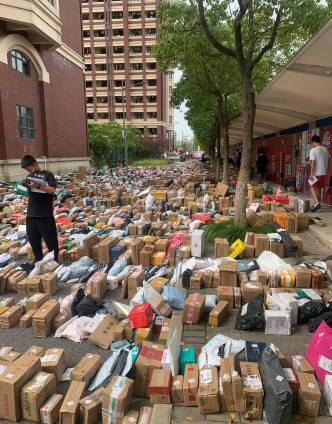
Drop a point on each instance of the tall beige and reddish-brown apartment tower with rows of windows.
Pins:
(118, 36)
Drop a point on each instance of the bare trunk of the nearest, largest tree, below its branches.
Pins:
(248, 116)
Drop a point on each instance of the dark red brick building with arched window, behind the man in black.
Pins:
(42, 91)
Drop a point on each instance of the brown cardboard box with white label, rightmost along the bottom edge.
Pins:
(309, 395)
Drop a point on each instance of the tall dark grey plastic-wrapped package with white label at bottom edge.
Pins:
(278, 399)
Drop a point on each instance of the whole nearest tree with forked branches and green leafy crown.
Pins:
(247, 31)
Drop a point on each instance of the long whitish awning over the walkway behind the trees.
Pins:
(301, 92)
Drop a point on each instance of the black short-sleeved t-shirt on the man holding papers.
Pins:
(40, 204)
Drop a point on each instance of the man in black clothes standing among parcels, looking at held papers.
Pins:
(40, 218)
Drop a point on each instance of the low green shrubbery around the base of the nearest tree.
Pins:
(231, 232)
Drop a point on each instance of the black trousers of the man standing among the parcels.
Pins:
(42, 228)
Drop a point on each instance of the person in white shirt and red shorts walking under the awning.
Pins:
(319, 157)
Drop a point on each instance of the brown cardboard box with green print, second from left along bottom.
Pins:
(34, 393)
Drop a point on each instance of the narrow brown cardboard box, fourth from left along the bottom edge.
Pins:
(69, 410)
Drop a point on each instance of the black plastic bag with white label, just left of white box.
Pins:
(251, 315)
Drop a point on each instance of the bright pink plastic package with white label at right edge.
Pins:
(319, 352)
